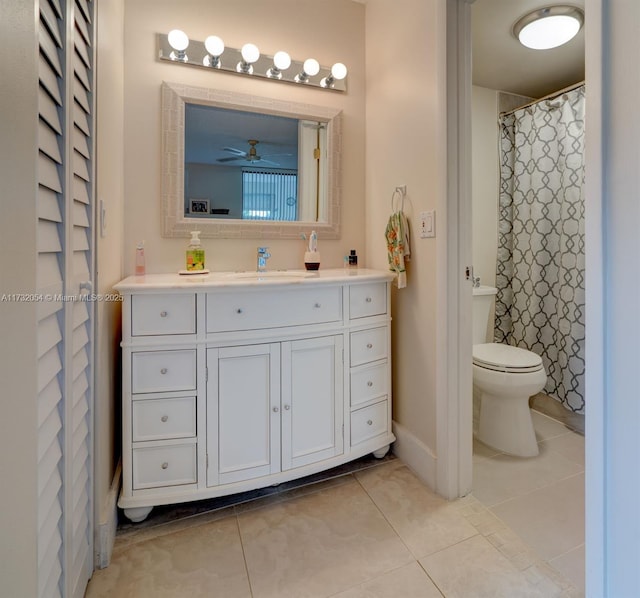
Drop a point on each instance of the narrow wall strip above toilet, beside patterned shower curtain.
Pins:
(485, 183)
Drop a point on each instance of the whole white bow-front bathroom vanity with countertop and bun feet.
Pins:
(237, 381)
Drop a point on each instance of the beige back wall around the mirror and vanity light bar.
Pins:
(330, 31)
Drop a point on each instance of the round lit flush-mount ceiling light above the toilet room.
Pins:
(549, 27)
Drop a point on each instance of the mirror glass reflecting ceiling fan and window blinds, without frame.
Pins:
(247, 165)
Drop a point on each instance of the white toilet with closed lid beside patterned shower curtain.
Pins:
(504, 377)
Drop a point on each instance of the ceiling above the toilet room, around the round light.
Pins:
(501, 63)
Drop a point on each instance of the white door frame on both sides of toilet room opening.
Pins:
(454, 405)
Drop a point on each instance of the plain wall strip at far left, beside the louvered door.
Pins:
(18, 340)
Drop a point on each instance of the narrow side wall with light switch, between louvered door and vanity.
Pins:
(109, 249)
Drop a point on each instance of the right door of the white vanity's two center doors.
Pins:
(312, 400)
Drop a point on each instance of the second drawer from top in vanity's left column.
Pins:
(162, 371)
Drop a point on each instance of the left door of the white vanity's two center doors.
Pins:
(243, 412)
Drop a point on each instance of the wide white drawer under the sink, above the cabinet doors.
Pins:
(271, 309)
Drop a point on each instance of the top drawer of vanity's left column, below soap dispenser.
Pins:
(163, 314)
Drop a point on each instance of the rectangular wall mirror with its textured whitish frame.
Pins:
(242, 166)
